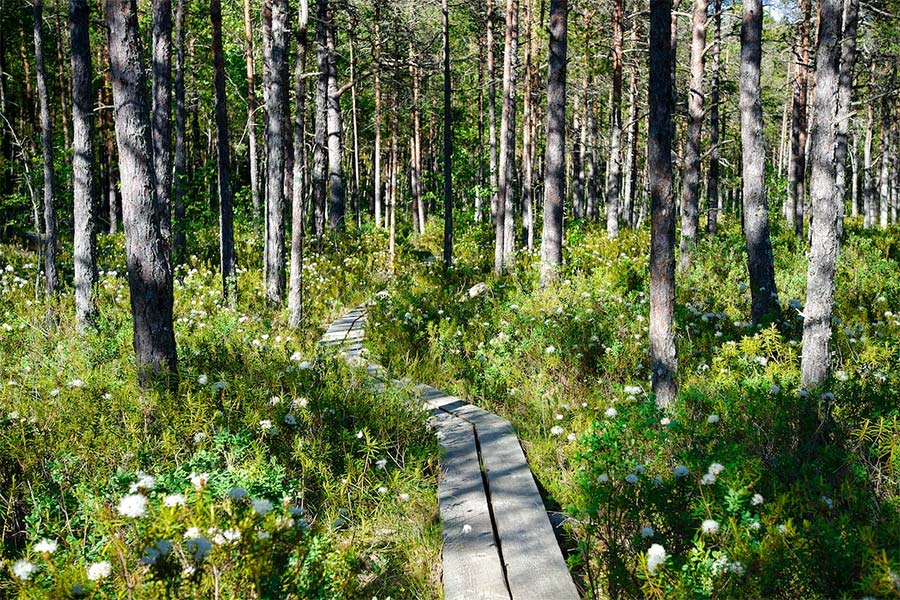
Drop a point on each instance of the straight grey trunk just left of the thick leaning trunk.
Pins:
(82, 165)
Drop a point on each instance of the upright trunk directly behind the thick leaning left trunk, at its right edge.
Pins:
(162, 111)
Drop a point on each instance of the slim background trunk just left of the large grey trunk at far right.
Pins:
(797, 174)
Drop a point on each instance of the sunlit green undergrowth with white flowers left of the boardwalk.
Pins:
(275, 471)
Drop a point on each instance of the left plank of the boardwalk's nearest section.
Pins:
(471, 563)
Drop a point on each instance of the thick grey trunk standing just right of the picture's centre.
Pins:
(555, 150)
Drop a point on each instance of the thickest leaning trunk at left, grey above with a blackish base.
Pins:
(149, 272)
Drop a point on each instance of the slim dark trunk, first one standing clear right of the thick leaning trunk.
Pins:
(227, 260)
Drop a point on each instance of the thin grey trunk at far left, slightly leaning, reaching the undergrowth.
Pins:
(52, 278)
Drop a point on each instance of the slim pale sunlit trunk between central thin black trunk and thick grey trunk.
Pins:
(505, 220)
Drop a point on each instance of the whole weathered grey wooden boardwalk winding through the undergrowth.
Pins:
(498, 540)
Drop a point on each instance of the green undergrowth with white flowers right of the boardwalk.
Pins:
(749, 486)
